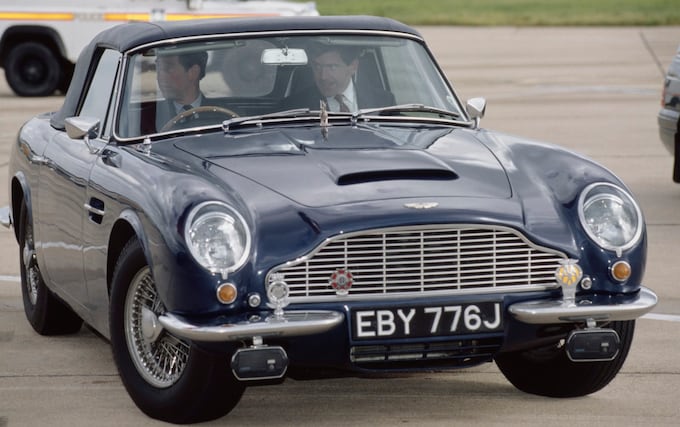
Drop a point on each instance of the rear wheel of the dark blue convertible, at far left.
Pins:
(45, 312)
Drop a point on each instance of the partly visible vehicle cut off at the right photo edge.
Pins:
(669, 115)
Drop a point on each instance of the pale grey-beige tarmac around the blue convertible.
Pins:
(594, 90)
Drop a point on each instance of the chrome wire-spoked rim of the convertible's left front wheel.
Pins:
(159, 357)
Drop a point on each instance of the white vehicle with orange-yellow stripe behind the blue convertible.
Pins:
(40, 40)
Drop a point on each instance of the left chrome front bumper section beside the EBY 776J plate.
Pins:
(291, 323)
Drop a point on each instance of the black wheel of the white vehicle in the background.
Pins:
(33, 69)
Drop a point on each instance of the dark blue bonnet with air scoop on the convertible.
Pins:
(353, 165)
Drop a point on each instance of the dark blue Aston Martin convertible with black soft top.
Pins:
(231, 202)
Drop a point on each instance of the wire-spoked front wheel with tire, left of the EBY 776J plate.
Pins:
(196, 386)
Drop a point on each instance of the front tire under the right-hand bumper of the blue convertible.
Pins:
(549, 372)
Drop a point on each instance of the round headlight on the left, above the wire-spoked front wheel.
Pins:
(218, 237)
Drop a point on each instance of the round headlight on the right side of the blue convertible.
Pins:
(610, 216)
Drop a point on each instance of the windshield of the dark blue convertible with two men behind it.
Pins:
(205, 83)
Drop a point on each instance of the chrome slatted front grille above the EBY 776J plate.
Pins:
(419, 260)
